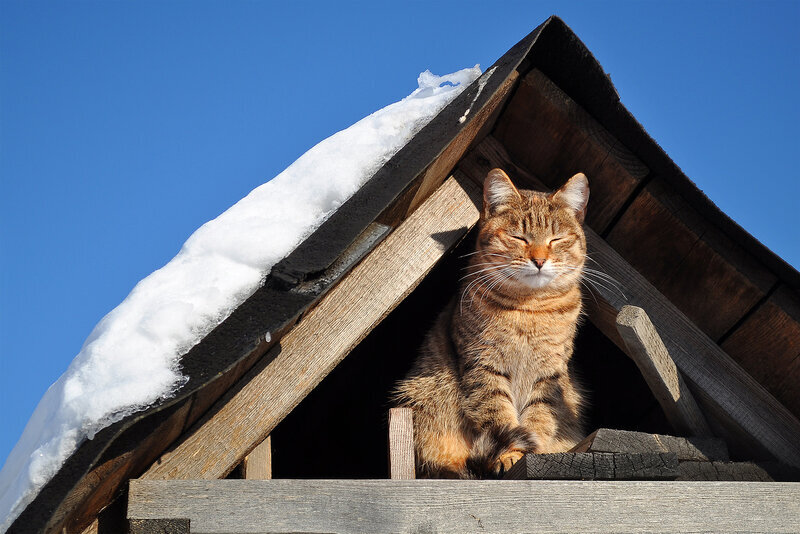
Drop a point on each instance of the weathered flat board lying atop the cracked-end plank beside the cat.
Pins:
(686, 449)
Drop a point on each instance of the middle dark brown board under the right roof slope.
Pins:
(712, 280)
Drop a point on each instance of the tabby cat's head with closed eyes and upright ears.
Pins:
(532, 240)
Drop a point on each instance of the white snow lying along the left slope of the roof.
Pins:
(132, 357)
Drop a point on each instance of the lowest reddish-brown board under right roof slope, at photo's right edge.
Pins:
(771, 334)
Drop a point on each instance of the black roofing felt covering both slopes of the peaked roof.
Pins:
(552, 48)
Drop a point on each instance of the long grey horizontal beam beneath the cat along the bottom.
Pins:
(460, 506)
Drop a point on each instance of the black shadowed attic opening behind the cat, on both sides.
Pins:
(340, 429)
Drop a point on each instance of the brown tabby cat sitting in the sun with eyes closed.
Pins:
(492, 381)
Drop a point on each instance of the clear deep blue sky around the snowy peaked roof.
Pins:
(125, 126)
